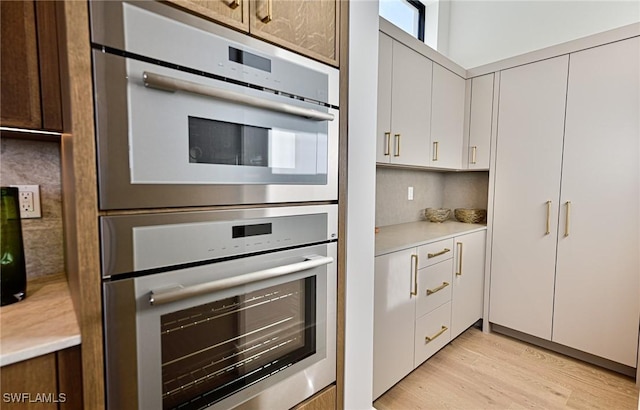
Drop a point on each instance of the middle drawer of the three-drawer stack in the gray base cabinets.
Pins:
(434, 286)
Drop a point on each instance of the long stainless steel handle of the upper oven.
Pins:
(166, 83)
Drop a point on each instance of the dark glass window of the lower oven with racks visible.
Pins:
(214, 350)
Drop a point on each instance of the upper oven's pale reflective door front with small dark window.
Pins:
(187, 138)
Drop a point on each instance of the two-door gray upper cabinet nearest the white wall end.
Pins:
(404, 105)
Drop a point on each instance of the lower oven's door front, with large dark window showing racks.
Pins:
(219, 349)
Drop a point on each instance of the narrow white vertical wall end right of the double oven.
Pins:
(363, 83)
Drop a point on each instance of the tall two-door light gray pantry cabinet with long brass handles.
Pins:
(565, 263)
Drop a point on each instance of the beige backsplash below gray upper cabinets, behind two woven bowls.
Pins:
(431, 190)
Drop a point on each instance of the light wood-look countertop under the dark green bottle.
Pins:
(42, 323)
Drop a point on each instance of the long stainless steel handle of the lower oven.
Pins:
(161, 297)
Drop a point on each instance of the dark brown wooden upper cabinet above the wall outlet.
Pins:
(30, 80)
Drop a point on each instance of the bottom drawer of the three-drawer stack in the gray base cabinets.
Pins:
(432, 333)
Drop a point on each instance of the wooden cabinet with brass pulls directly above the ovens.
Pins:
(308, 27)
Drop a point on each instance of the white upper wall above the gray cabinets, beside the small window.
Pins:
(482, 32)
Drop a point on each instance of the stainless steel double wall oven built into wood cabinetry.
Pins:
(231, 307)
